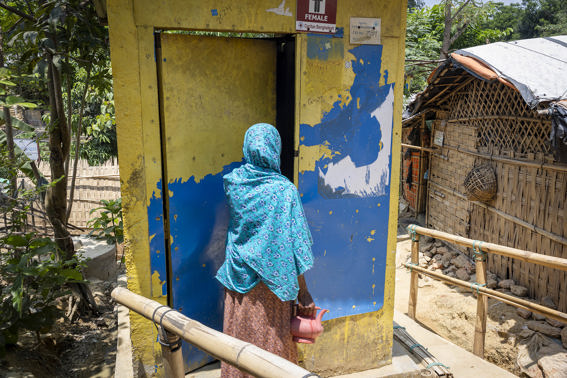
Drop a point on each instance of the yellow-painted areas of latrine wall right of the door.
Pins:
(358, 342)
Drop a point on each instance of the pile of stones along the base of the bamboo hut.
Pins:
(546, 336)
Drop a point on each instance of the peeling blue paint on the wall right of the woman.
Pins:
(350, 257)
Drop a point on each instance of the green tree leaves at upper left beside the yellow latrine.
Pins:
(67, 33)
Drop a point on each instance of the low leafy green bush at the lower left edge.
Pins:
(32, 277)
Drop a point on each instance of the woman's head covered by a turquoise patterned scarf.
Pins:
(262, 146)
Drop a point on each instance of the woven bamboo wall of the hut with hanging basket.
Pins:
(492, 118)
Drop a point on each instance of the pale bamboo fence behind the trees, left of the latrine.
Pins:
(92, 185)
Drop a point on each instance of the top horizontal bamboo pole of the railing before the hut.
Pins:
(526, 256)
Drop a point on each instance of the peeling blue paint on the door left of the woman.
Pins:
(198, 221)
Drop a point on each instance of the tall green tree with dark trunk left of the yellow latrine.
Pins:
(60, 40)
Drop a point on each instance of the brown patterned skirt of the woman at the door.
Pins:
(261, 318)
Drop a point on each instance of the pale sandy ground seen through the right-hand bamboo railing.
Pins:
(450, 312)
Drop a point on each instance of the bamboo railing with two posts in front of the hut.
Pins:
(480, 250)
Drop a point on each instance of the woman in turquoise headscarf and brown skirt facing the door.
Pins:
(267, 251)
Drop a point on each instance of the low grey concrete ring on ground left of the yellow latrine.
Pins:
(101, 258)
